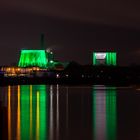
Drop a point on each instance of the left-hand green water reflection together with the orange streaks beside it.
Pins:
(32, 109)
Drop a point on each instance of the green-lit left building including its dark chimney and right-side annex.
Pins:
(42, 58)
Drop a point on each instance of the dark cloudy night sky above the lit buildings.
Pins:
(72, 28)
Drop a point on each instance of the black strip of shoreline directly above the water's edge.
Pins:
(64, 81)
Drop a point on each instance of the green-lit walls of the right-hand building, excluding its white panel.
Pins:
(110, 59)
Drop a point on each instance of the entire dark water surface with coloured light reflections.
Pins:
(41, 112)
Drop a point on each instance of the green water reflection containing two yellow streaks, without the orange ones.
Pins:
(34, 112)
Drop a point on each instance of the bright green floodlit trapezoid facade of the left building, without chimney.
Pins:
(33, 58)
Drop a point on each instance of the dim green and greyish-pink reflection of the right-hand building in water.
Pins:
(104, 113)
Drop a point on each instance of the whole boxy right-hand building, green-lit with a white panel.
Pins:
(104, 58)
